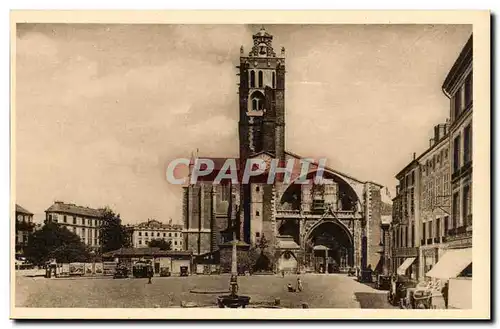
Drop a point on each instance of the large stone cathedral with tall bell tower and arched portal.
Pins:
(307, 227)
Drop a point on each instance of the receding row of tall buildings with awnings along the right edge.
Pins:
(432, 211)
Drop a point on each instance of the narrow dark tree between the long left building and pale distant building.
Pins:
(113, 233)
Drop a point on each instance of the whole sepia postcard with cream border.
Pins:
(250, 165)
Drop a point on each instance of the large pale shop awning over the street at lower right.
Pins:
(451, 264)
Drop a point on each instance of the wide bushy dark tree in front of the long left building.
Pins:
(54, 241)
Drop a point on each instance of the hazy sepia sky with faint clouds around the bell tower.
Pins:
(102, 109)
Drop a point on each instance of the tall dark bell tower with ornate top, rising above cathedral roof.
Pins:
(262, 99)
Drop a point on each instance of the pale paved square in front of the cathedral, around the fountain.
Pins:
(320, 291)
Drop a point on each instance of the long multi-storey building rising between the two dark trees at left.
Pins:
(83, 221)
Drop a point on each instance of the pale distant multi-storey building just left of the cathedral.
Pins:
(145, 232)
